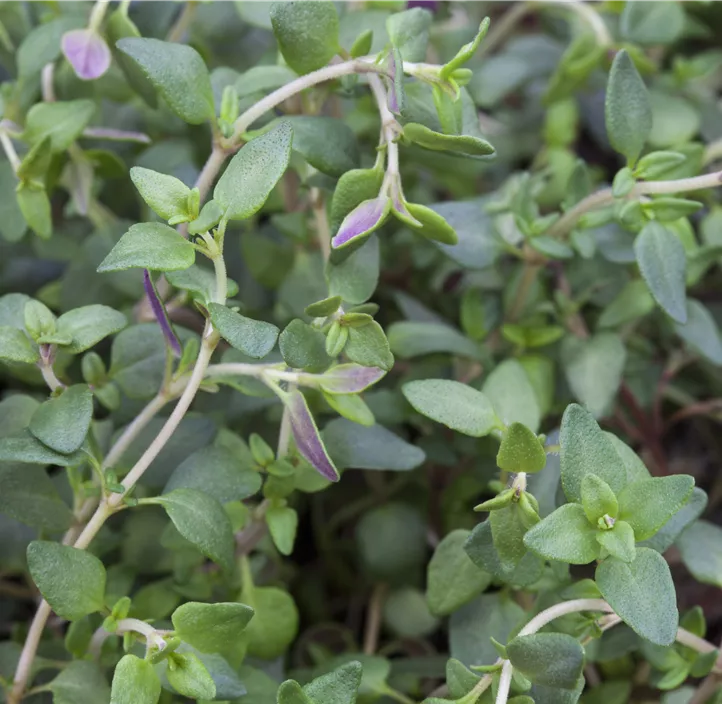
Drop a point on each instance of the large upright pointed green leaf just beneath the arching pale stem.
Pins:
(253, 173)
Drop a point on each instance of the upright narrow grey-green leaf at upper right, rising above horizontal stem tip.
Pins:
(627, 110)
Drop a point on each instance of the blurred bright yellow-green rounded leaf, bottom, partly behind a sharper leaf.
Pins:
(274, 625)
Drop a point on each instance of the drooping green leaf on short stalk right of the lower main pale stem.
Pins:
(201, 519)
